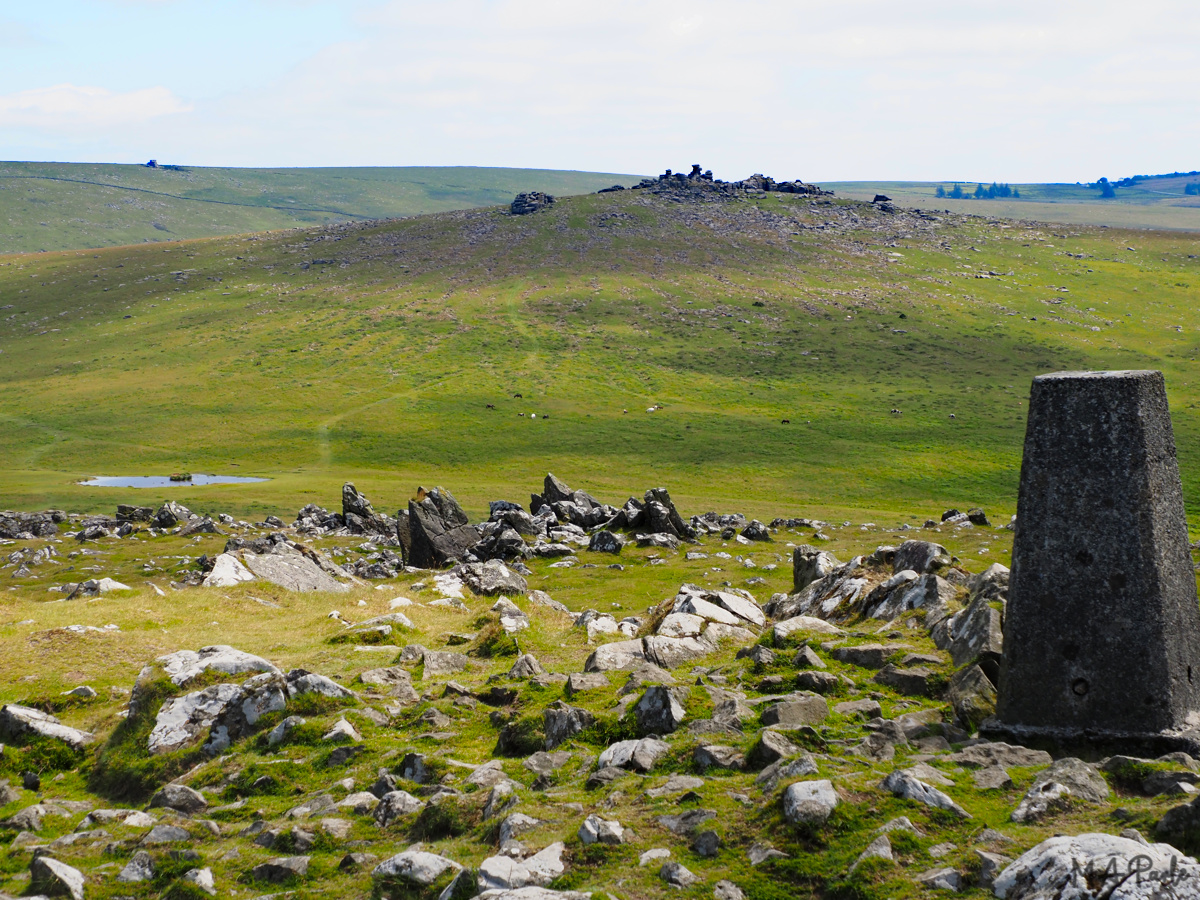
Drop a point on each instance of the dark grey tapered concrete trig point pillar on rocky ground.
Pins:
(1102, 633)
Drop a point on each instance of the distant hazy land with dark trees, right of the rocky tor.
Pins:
(1157, 203)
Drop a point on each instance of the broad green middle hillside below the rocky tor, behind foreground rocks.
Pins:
(371, 353)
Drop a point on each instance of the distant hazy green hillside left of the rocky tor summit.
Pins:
(47, 207)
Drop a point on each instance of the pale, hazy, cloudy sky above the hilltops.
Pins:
(973, 91)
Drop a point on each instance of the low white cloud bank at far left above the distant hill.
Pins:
(69, 107)
